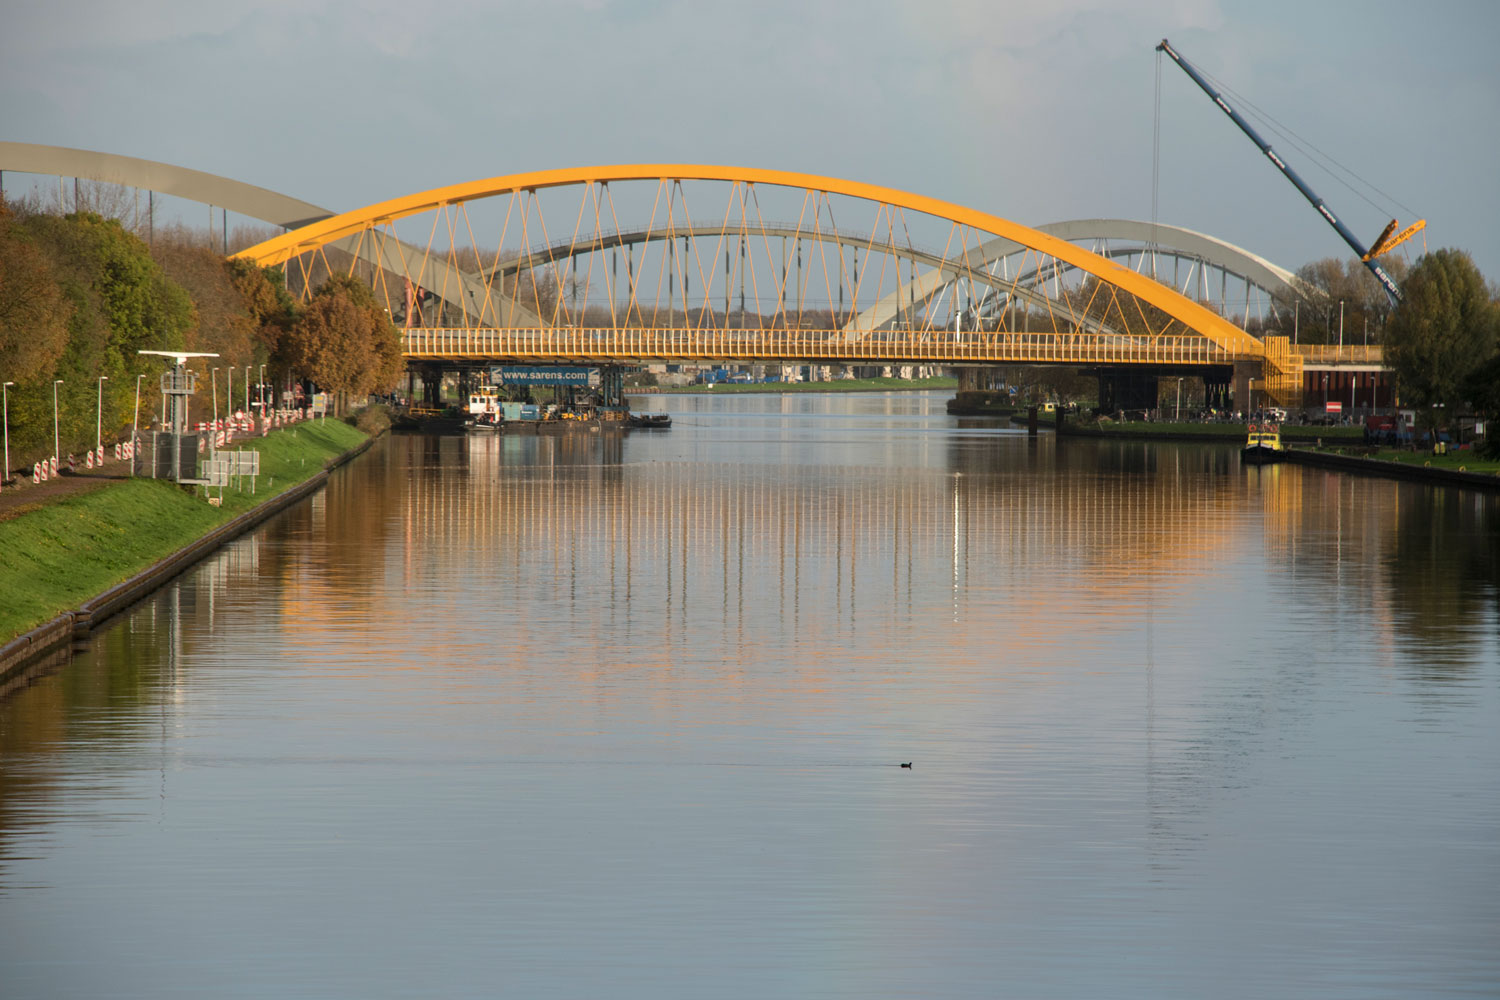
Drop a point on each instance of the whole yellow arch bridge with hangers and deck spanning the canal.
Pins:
(691, 263)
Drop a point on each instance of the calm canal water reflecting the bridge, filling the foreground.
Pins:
(598, 716)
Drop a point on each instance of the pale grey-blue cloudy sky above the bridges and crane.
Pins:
(1037, 112)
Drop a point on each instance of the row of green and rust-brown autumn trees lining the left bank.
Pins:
(80, 296)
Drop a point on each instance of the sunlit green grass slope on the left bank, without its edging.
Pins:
(61, 554)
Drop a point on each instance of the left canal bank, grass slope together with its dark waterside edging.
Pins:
(43, 548)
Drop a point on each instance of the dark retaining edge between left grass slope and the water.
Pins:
(23, 651)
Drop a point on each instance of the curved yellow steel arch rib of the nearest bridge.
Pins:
(1195, 317)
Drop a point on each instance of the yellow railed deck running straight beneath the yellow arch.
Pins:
(929, 347)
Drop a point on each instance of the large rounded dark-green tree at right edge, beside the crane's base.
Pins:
(1442, 334)
